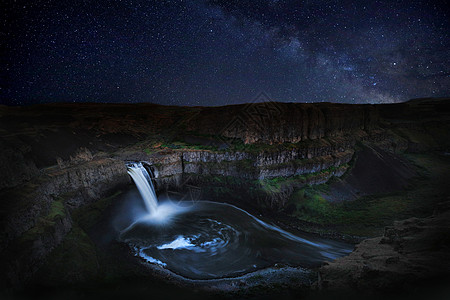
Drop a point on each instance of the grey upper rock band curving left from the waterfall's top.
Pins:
(78, 185)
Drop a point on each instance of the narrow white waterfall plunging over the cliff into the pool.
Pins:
(144, 184)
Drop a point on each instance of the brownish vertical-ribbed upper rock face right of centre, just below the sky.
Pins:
(273, 123)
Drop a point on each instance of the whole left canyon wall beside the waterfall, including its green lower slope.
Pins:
(40, 219)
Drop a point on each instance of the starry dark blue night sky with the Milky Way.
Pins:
(214, 52)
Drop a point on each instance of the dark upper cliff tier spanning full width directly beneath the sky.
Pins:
(269, 134)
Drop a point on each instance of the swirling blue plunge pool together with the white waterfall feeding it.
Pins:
(207, 240)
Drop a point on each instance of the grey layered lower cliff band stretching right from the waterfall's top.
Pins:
(178, 170)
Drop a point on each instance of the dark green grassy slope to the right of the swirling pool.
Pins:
(367, 216)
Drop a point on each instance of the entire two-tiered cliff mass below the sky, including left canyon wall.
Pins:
(58, 158)
